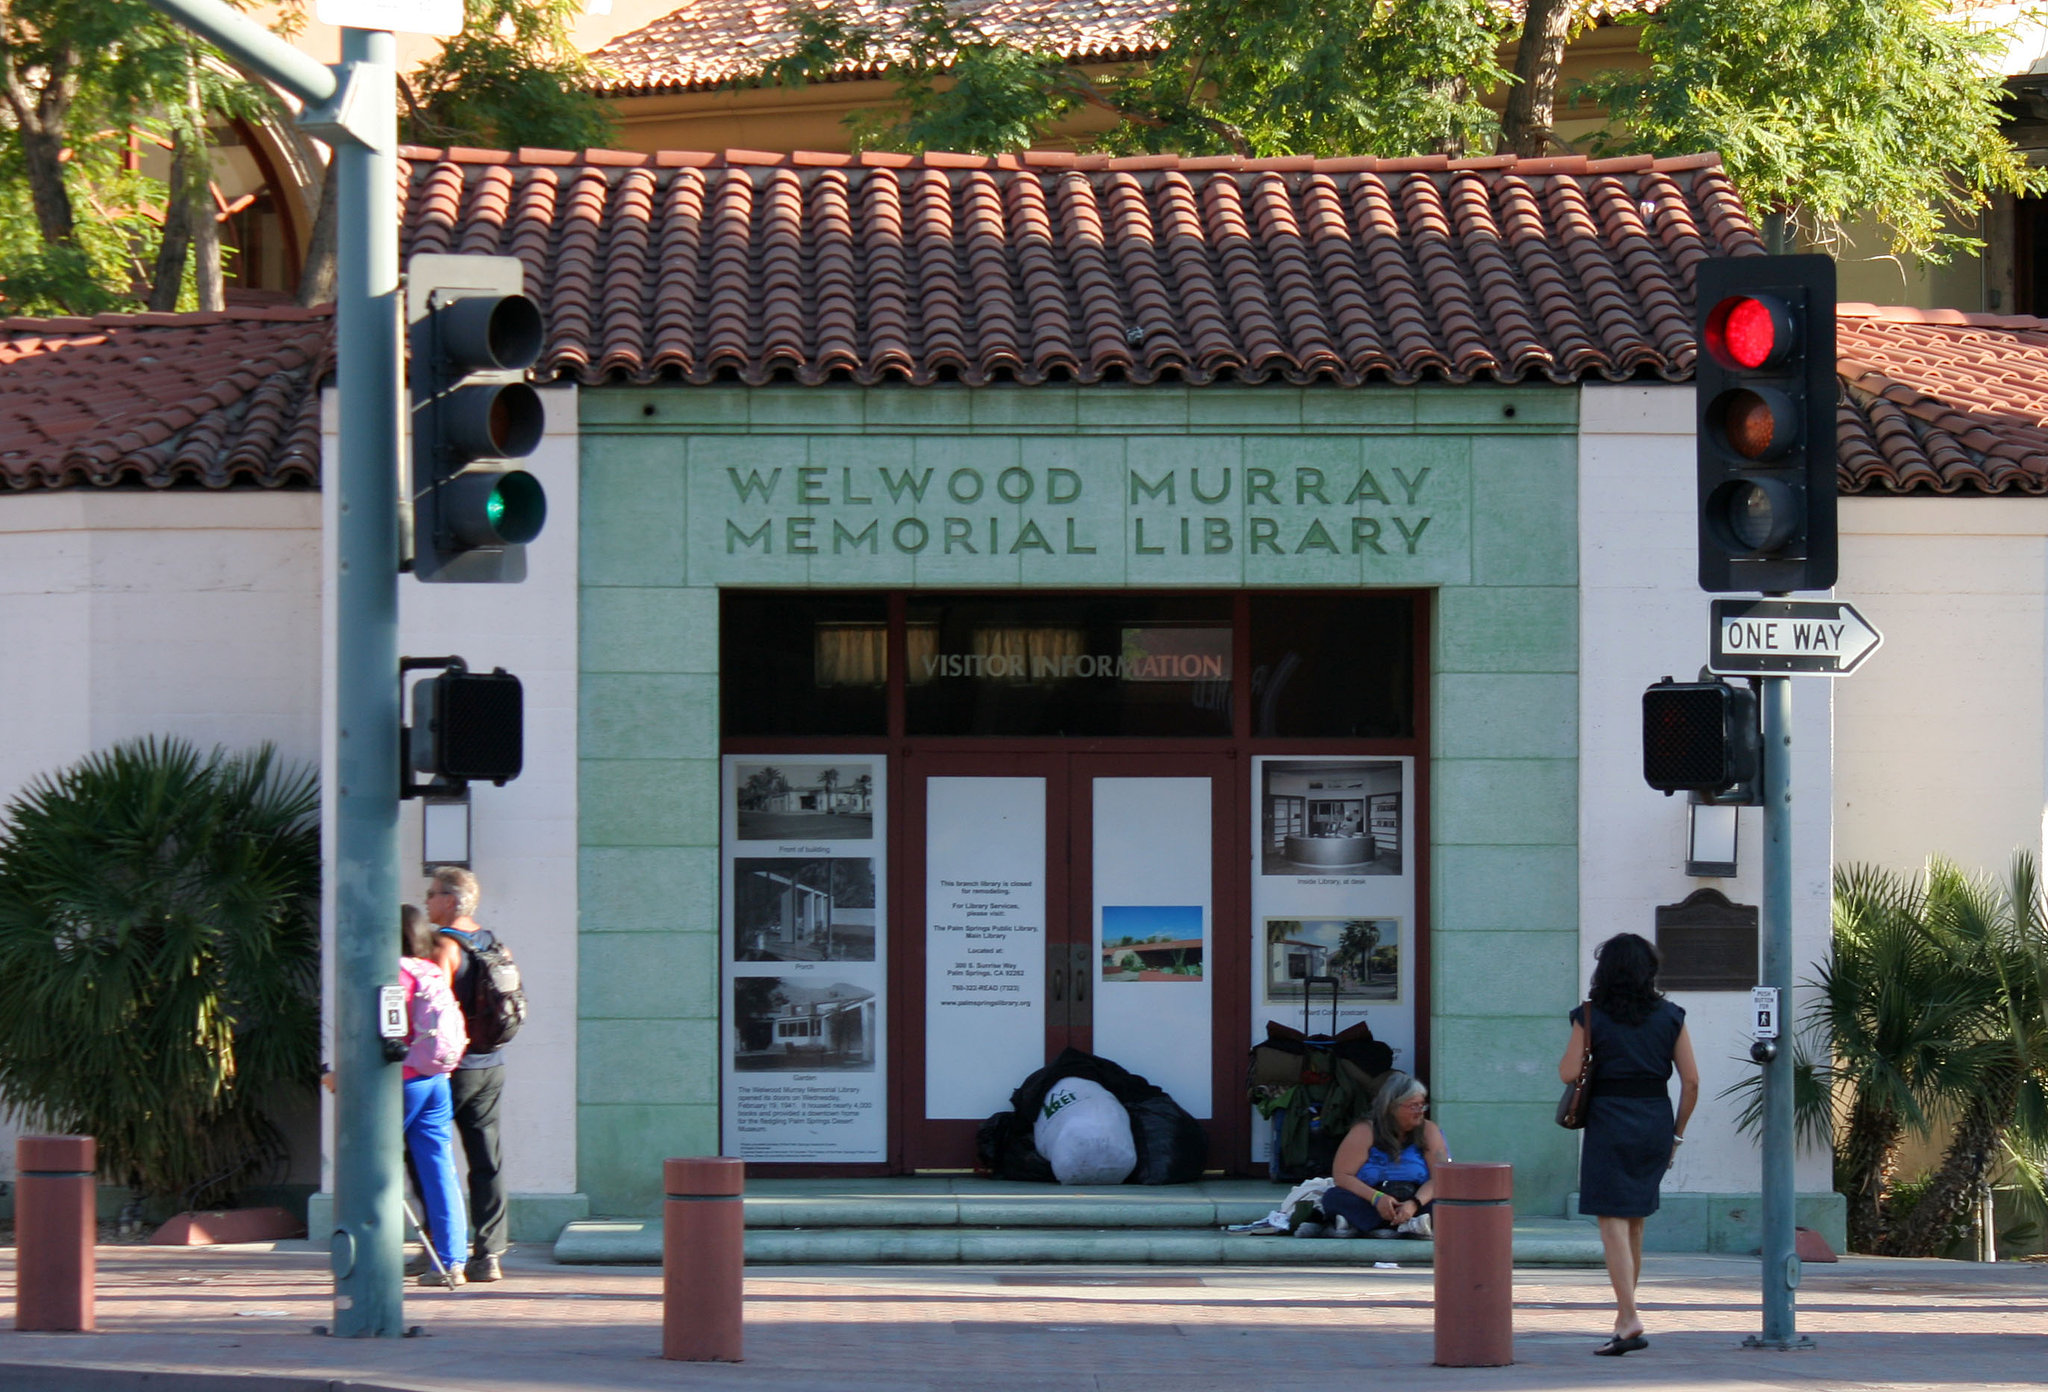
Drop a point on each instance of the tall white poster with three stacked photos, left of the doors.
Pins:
(806, 920)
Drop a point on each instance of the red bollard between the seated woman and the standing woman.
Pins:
(1476, 1266)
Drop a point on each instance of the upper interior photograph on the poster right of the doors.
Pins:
(1330, 818)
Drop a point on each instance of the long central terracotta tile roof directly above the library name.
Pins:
(1089, 269)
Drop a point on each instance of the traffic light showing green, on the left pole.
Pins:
(472, 335)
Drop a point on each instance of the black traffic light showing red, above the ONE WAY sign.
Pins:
(1766, 423)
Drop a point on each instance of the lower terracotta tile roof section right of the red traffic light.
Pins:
(1943, 402)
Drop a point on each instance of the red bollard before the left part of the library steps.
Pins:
(703, 1252)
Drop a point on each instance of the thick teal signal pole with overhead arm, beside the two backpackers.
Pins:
(355, 110)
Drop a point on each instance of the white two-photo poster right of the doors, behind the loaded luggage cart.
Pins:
(1334, 896)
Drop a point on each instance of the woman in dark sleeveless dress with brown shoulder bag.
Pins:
(1631, 1137)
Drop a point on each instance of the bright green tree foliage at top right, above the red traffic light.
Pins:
(1826, 112)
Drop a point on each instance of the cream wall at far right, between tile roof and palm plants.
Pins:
(1940, 738)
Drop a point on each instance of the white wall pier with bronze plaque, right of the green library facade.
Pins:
(1644, 617)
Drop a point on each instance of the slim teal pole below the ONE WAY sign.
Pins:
(1781, 1250)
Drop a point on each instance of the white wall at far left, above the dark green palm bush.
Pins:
(136, 613)
